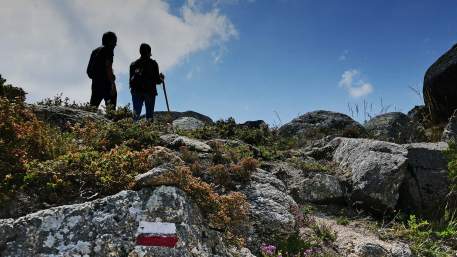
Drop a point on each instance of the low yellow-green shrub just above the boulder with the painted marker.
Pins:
(83, 173)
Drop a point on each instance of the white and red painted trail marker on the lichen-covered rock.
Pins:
(156, 234)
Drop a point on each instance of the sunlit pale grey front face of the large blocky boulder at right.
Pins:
(377, 171)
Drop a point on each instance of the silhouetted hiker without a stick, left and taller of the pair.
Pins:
(100, 70)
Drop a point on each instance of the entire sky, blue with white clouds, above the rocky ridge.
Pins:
(248, 59)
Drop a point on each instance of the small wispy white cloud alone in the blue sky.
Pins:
(356, 87)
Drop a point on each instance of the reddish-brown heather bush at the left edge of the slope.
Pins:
(24, 138)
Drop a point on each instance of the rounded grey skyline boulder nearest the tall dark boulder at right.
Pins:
(394, 127)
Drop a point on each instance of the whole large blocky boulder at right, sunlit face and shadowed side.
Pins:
(386, 176)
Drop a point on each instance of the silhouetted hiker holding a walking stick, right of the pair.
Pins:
(144, 76)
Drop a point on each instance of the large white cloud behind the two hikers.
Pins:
(46, 44)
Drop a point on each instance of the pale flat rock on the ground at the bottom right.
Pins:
(359, 242)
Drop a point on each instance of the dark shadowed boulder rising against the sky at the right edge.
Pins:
(440, 94)
